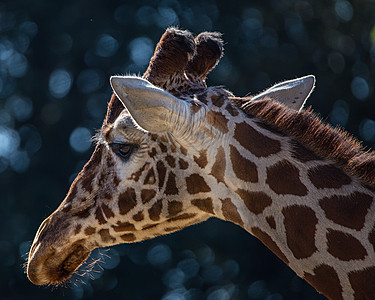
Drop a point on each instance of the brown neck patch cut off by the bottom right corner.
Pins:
(363, 283)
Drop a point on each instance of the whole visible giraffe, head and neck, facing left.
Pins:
(173, 152)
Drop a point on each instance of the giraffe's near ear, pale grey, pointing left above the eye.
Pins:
(153, 109)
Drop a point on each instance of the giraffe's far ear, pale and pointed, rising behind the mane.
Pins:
(292, 93)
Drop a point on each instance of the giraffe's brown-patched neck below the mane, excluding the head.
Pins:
(301, 206)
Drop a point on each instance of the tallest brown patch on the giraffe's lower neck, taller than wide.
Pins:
(300, 226)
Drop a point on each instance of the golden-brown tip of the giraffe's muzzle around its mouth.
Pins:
(48, 266)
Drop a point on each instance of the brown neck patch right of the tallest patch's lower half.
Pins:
(344, 246)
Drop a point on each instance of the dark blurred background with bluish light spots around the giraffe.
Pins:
(55, 61)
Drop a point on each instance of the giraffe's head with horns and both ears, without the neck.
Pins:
(159, 163)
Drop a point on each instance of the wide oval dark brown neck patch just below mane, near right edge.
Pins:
(328, 176)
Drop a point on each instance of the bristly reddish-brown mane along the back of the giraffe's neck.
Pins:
(323, 139)
